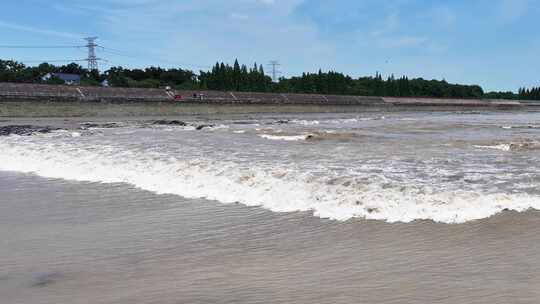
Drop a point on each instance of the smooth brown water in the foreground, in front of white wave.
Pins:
(69, 242)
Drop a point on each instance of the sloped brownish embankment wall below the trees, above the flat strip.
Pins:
(20, 92)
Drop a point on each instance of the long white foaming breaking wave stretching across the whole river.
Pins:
(280, 189)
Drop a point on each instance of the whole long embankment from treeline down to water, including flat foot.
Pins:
(33, 100)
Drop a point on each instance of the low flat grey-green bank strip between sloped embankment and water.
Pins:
(36, 109)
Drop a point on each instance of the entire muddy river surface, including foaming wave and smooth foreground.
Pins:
(300, 208)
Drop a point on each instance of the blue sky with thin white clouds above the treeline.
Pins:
(494, 43)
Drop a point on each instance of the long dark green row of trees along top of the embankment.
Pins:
(241, 78)
